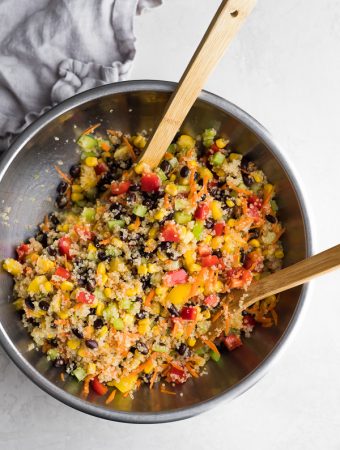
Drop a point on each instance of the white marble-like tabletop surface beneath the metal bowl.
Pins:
(284, 69)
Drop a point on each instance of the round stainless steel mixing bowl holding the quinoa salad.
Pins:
(27, 186)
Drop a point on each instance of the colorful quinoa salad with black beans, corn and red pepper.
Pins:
(123, 281)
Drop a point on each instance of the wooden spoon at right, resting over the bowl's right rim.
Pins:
(282, 280)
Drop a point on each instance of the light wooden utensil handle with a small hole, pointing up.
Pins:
(224, 26)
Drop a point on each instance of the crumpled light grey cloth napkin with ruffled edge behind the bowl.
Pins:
(51, 50)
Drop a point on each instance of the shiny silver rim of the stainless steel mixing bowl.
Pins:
(254, 376)
